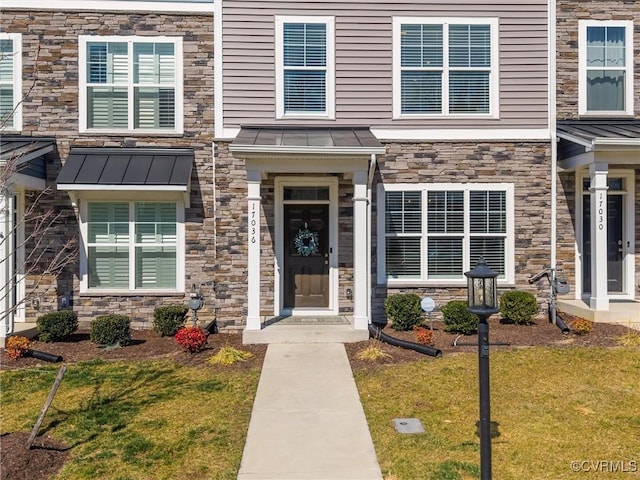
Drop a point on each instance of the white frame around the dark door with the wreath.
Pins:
(279, 184)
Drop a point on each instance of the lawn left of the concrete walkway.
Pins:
(137, 420)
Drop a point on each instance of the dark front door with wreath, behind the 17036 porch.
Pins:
(306, 255)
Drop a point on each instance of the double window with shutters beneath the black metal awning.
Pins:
(132, 245)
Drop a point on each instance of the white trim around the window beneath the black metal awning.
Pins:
(101, 196)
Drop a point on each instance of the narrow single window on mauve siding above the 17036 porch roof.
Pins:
(304, 67)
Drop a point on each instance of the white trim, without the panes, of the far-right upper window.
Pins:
(582, 66)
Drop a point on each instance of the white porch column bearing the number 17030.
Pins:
(599, 291)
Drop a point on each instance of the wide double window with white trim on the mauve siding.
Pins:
(445, 66)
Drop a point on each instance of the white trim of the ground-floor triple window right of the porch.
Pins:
(508, 188)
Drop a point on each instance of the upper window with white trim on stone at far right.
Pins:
(606, 67)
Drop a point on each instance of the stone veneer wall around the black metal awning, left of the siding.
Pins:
(50, 108)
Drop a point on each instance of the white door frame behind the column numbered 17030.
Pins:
(628, 219)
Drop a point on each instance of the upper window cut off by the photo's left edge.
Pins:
(10, 81)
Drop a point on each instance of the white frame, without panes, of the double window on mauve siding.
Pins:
(445, 68)
